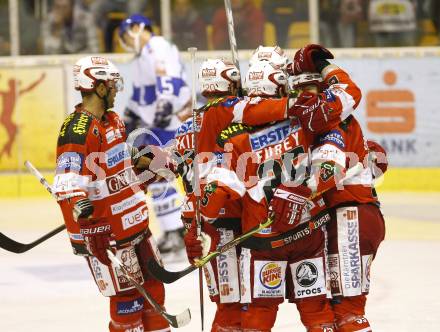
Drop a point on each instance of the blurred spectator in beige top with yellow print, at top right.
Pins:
(393, 22)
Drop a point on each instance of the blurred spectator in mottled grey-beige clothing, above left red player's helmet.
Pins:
(69, 28)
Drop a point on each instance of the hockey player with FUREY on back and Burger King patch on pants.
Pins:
(261, 158)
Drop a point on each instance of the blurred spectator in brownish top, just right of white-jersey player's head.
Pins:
(189, 29)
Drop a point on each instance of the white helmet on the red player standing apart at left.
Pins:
(90, 70)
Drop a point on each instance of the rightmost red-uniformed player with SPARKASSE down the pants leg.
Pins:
(357, 226)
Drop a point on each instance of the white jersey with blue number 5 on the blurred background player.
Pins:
(158, 73)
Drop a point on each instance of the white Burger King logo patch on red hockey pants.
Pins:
(269, 278)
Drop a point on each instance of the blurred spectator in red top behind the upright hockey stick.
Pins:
(249, 25)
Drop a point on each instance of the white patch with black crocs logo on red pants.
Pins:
(308, 278)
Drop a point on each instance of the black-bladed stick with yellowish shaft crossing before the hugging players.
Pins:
(169, 277)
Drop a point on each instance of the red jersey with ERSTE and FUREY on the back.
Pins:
(261, 159)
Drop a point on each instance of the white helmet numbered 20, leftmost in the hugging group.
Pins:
(217, 77)
